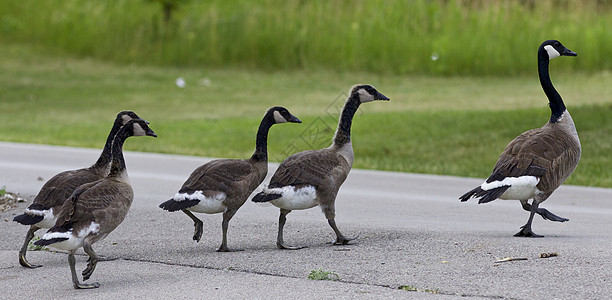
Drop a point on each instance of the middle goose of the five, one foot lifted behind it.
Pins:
(224, 185)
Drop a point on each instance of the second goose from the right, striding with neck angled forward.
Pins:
(313, 177)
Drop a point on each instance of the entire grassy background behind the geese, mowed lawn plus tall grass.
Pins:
(461, 76)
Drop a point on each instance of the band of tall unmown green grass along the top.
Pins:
(481, 37)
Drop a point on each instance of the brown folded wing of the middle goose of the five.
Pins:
(224, 175)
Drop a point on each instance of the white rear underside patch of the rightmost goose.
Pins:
(521, 188)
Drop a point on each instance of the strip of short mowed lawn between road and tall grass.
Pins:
(438, 125)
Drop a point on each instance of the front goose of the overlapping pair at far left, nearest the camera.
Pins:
(95, 209)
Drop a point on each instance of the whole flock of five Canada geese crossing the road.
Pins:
(81, 207)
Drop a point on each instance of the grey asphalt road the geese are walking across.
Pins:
(413, 231)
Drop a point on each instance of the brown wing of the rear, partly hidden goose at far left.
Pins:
(57, 189)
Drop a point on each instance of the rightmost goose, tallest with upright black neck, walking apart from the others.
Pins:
(538, 161)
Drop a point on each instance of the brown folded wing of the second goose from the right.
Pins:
(313, 167)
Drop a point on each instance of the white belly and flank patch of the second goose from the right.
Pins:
(293, 199)
